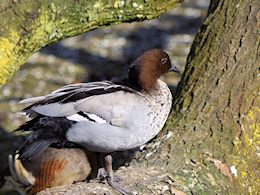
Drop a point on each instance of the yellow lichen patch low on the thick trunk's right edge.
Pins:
(246, 158)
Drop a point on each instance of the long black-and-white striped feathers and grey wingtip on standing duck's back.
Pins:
(62, 102)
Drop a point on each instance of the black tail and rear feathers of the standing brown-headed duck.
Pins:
(46, 131)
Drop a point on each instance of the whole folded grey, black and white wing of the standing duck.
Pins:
(104, 99)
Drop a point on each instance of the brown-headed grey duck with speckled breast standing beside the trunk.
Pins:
(102, 116)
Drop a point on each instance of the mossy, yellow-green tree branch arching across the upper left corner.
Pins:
(26, 26)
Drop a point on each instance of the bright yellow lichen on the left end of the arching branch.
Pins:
(44, 29)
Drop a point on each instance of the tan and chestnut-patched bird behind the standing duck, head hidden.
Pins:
(52, 167)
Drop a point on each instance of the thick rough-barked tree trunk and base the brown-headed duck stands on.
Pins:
(215, 121)
